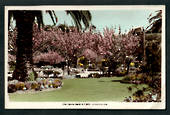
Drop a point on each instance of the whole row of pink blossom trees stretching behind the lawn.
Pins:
(55, 45)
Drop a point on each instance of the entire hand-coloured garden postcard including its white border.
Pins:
(85, 57)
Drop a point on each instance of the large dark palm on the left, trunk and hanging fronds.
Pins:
(24, 23)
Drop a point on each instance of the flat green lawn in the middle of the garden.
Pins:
(90, 89)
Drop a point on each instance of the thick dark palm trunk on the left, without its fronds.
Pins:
(24, 24)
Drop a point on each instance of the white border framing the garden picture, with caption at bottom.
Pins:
(92, 105)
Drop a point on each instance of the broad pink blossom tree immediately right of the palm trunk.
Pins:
(69, 45)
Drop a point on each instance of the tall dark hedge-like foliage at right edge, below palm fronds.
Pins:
(153, 53)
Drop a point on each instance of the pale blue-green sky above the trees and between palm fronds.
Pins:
(126, 19)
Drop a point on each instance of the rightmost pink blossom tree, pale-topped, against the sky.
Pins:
(116, 47)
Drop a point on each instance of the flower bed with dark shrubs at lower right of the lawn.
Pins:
(150, 94)
